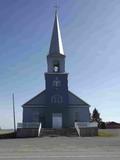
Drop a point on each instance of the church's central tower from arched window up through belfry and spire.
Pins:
(56, 78)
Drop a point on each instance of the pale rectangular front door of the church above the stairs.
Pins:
(57, 120)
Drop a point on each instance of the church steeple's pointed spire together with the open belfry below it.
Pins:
(56, 57)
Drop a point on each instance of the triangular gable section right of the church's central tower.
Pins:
(74, 100)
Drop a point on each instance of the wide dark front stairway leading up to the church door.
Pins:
(52, 132)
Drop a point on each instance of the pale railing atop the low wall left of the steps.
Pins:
(28, 125)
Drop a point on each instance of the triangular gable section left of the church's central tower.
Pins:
(37, 100)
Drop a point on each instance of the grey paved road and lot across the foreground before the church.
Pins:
(61, 148)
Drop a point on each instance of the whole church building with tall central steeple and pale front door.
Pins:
(56, 106)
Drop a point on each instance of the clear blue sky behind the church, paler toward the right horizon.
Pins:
(91, 35)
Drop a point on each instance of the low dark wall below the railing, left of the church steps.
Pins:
(27, 132)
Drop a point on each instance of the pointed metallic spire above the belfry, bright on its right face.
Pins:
(56, 46)
